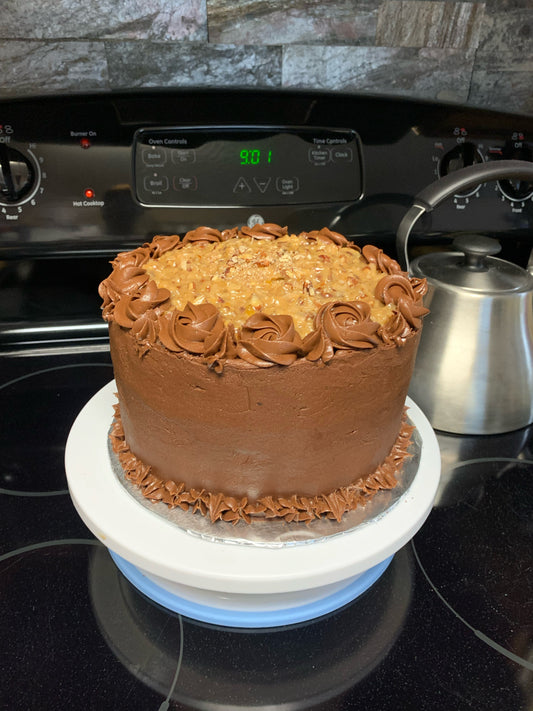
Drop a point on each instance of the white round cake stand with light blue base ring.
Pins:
(224, 582)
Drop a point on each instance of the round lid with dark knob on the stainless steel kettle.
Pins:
(473, 267)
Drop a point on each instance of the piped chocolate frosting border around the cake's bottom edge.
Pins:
(219, 506)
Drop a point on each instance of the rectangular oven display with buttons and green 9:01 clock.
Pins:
(254, 166)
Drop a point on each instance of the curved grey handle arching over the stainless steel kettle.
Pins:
(433, 194)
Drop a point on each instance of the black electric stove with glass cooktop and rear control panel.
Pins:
(449, 623)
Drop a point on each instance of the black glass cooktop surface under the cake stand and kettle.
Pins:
(448, 626)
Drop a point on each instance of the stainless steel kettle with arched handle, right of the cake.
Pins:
(474, 369)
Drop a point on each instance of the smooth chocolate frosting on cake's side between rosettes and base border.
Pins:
(257, 432)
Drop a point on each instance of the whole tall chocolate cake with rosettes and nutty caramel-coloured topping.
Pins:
(261, 374)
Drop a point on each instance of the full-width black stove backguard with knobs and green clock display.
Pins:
(96, 174)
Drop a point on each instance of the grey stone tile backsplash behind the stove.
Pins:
(478, 53)
